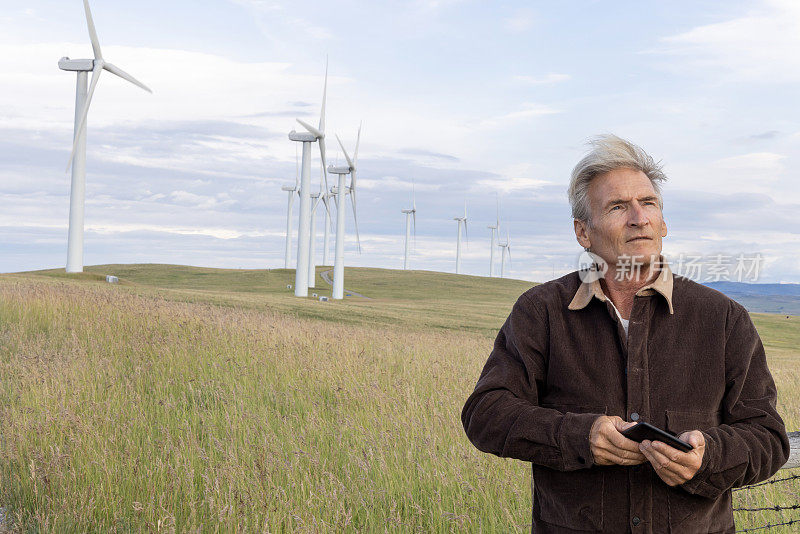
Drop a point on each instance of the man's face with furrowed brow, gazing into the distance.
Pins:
(625, 218)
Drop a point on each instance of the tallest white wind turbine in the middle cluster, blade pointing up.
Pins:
(312, 135)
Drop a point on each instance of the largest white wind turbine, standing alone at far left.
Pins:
(78, 155)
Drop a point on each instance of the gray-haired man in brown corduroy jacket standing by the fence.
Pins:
(584, 357)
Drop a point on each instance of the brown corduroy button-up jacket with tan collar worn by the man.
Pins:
(692, 360)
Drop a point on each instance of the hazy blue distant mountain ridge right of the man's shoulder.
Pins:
(762, 298)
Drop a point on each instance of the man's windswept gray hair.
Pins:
(609, 153)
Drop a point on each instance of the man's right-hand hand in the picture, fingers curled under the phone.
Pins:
(673, 466)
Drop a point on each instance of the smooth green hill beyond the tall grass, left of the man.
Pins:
(410, 299)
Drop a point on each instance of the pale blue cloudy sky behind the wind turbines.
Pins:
(460, 100)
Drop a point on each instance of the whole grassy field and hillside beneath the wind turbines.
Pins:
(193, 399)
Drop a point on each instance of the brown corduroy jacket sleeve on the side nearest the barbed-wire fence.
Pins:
(750, 444)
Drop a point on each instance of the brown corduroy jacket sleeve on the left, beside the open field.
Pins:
(503, 416)
